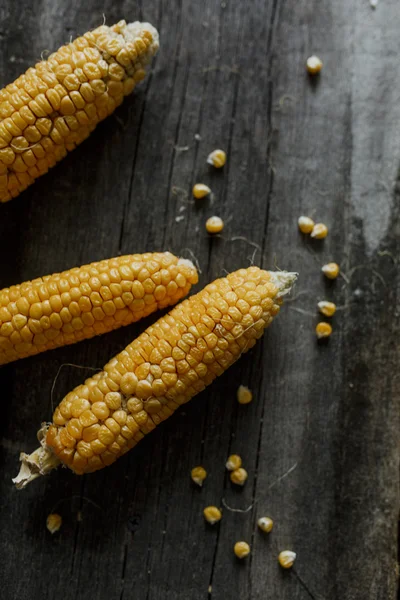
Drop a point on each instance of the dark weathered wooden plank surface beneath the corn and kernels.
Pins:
(320, 440)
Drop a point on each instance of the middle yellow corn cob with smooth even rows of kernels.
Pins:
(78, 304)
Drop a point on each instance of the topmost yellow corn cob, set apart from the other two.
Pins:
(55, 105)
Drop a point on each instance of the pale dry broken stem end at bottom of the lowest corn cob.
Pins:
(40, 462)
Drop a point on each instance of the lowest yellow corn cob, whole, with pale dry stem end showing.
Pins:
(166, 366)
